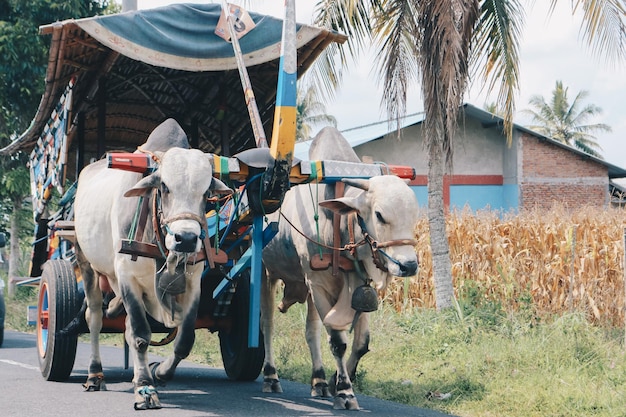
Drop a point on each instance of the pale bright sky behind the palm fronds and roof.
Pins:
(551, 49)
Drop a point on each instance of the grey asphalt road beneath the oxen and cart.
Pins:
(195, 391)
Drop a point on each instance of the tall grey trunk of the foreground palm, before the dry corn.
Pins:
(445, 38)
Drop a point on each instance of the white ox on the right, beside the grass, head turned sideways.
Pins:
(387, 211)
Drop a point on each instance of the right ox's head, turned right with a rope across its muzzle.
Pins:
(388, 210)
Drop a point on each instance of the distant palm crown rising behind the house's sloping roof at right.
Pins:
(566, 122)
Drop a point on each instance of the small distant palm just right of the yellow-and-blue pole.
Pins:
(310, 111)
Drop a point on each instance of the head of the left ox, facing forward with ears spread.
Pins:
(184, 180)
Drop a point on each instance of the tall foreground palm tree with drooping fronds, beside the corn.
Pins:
(438, 40)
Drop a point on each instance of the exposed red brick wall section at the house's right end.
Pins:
(552, 174)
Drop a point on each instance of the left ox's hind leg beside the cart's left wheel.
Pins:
(93, 316)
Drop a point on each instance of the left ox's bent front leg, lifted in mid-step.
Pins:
(183, 343)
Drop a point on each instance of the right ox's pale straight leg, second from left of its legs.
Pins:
(319, 384)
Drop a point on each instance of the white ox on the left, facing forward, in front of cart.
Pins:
(169, 290)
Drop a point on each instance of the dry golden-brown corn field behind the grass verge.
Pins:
(557, 261)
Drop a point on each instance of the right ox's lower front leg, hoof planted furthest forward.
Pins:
(344, 394)
